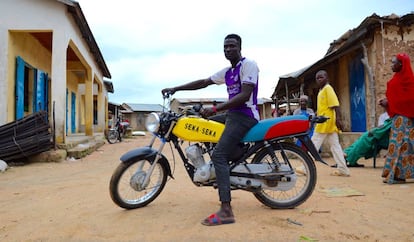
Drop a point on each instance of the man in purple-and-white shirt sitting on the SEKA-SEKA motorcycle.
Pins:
(241, 79)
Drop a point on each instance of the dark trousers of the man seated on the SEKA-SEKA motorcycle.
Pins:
(237, 125)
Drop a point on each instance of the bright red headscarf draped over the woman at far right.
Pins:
(400, 89)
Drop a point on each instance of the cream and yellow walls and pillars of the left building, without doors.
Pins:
(21, 17)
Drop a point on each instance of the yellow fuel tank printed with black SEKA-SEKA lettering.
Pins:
(198, 129)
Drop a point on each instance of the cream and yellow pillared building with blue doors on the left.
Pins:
(50, 61)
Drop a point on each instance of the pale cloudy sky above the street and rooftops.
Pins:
(150, 45)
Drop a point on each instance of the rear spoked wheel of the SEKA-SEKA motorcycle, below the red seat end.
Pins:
(288, 194)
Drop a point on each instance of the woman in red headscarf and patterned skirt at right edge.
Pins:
(399, 103)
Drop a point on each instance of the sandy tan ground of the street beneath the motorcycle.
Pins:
(70, 201)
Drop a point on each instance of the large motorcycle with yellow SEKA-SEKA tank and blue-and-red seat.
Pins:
(267, 164)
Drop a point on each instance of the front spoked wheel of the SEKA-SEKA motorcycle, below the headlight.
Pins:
(134, 185)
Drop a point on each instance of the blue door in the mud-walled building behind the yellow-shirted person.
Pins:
(357, 94)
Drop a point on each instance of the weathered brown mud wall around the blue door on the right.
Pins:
(384, 45)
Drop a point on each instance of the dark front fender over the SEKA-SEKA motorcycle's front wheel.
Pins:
(148, 154)
